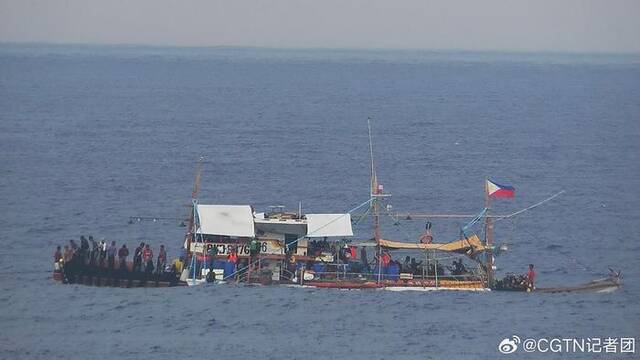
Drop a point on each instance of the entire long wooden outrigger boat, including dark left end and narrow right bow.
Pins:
(234, 243)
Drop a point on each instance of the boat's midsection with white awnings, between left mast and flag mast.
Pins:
(289, 250)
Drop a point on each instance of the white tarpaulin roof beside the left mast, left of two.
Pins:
(226, 220)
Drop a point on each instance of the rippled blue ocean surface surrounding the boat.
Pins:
(93, 135)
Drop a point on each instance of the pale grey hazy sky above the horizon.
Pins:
(554, 25)
